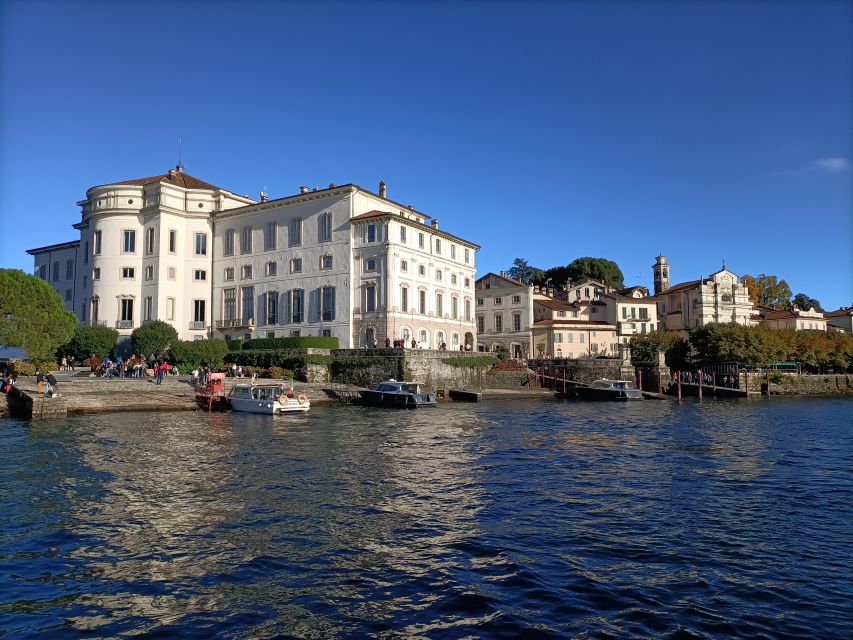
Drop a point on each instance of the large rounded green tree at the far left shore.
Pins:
(32, 315)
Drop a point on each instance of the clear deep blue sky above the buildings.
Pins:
(702, 130)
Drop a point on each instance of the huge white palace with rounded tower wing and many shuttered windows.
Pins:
(340, 261)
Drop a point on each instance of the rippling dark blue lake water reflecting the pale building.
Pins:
(508, 519)
